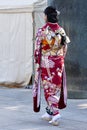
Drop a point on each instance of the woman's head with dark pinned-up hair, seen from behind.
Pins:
(52, 15)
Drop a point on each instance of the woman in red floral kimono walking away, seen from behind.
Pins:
(51, 41)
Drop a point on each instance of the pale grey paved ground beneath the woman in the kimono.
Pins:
(16, 112)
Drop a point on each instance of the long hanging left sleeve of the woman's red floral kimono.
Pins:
(37, 78)
